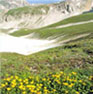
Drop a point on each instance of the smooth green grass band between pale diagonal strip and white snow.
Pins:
(68, 31)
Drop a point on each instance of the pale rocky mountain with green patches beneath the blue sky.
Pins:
(36, 16)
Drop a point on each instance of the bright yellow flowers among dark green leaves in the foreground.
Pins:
(50, 84)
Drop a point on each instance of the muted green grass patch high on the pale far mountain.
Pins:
(27, 10)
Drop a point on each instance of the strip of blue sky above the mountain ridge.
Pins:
(43, 1)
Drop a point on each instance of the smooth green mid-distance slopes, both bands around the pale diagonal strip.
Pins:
(48, 31)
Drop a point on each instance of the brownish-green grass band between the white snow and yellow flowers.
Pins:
(75, 55)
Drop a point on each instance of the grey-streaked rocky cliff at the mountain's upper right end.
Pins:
(71, 6)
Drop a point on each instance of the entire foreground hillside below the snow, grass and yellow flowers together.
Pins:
(75, 57)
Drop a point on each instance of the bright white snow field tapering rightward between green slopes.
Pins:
(23, 45)
